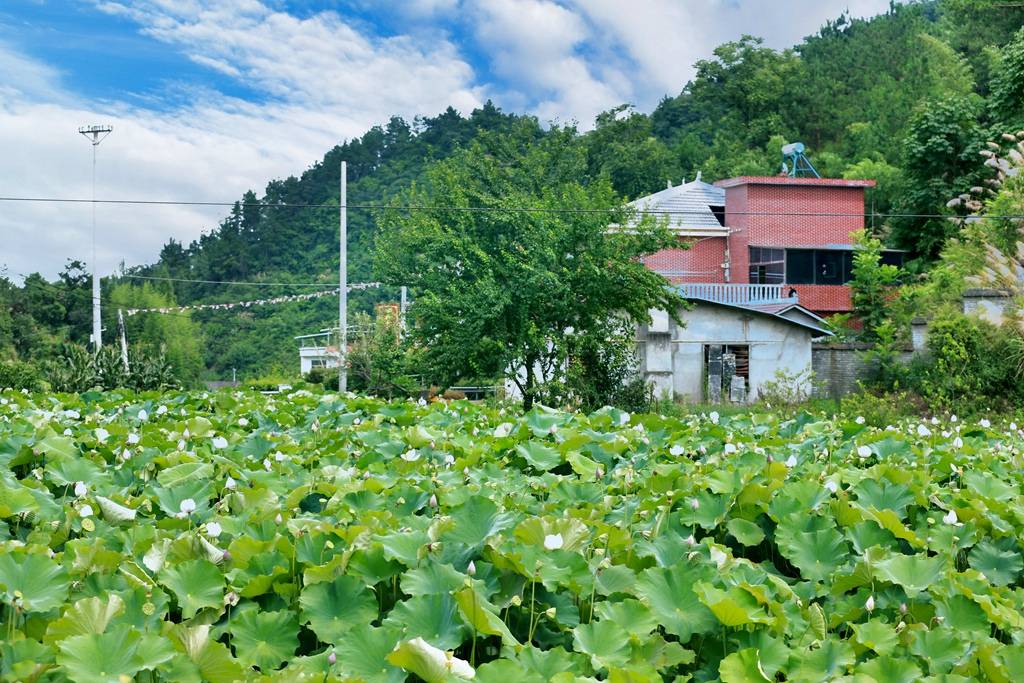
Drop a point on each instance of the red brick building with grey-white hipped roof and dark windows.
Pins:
(790, 233)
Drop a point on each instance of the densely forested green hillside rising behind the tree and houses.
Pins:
(909, 99)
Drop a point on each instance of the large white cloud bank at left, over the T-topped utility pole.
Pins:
(324, 82)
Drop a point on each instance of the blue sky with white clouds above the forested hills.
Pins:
(209, 99)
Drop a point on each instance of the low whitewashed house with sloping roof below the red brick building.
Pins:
(735, 339)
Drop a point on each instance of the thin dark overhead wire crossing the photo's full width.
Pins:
(416, 207)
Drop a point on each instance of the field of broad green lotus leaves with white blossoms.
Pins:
(238, 537)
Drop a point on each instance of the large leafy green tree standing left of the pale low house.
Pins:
(499, 290)
